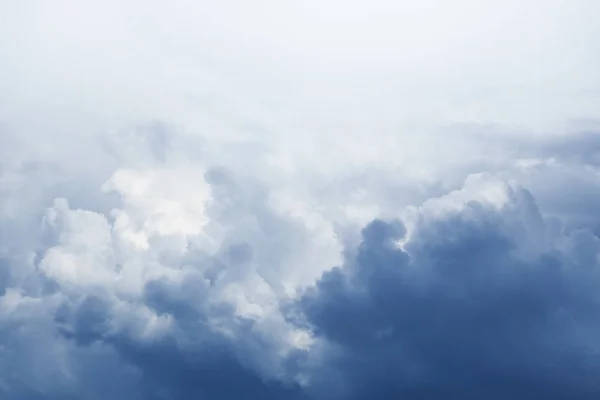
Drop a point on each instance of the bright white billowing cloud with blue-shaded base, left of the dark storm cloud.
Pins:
(175, 291)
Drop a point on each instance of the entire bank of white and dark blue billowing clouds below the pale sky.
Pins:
(217, 290)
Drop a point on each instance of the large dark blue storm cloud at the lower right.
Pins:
(459, 315)
